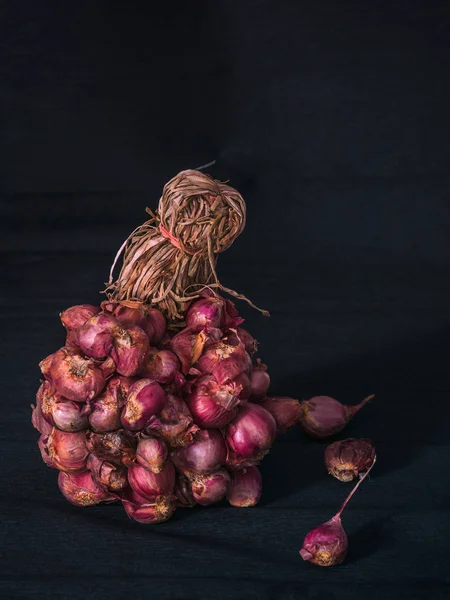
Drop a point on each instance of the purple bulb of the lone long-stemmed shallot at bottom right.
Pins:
(326, 545)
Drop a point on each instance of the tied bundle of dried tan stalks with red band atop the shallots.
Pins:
(171, 257)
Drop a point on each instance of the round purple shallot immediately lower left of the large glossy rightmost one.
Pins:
(206, 454)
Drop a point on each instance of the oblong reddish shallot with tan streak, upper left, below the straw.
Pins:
(130, 350)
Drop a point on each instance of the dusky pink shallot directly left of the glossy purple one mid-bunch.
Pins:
(107, 408)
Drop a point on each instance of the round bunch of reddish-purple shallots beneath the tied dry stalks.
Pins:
(130, 411)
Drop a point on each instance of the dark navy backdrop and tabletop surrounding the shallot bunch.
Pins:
(332, 119)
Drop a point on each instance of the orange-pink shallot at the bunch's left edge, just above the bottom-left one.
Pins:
(68, 451)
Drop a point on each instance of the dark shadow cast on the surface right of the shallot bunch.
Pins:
(405, 376)
